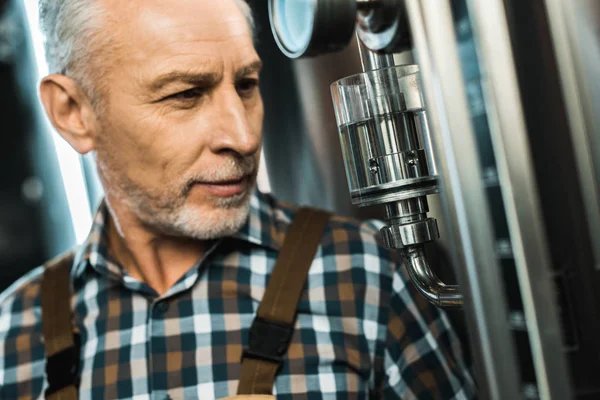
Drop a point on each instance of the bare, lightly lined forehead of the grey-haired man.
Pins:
(154, 37)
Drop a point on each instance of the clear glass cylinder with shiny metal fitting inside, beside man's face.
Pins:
(384, 135)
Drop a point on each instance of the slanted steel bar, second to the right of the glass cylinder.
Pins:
(521, 196)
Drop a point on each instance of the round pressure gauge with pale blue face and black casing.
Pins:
(305, 28)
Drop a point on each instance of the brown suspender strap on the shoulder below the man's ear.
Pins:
(62, 353)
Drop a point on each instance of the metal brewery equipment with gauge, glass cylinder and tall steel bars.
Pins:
(497, 116)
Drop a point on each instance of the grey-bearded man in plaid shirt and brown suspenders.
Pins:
(166, 287)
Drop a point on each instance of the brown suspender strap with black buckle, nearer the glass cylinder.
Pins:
(272, 330)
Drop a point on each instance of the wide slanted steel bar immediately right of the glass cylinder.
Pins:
(463, 192)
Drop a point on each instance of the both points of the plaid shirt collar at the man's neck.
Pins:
(265, 227)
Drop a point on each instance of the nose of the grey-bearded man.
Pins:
(236, 132)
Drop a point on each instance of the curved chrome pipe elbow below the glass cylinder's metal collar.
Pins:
(427, 282)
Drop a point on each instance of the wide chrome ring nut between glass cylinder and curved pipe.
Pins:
(399, 236)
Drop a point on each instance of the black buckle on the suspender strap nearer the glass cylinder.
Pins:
(269, 341)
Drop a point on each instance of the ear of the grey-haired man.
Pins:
(70, 111)
